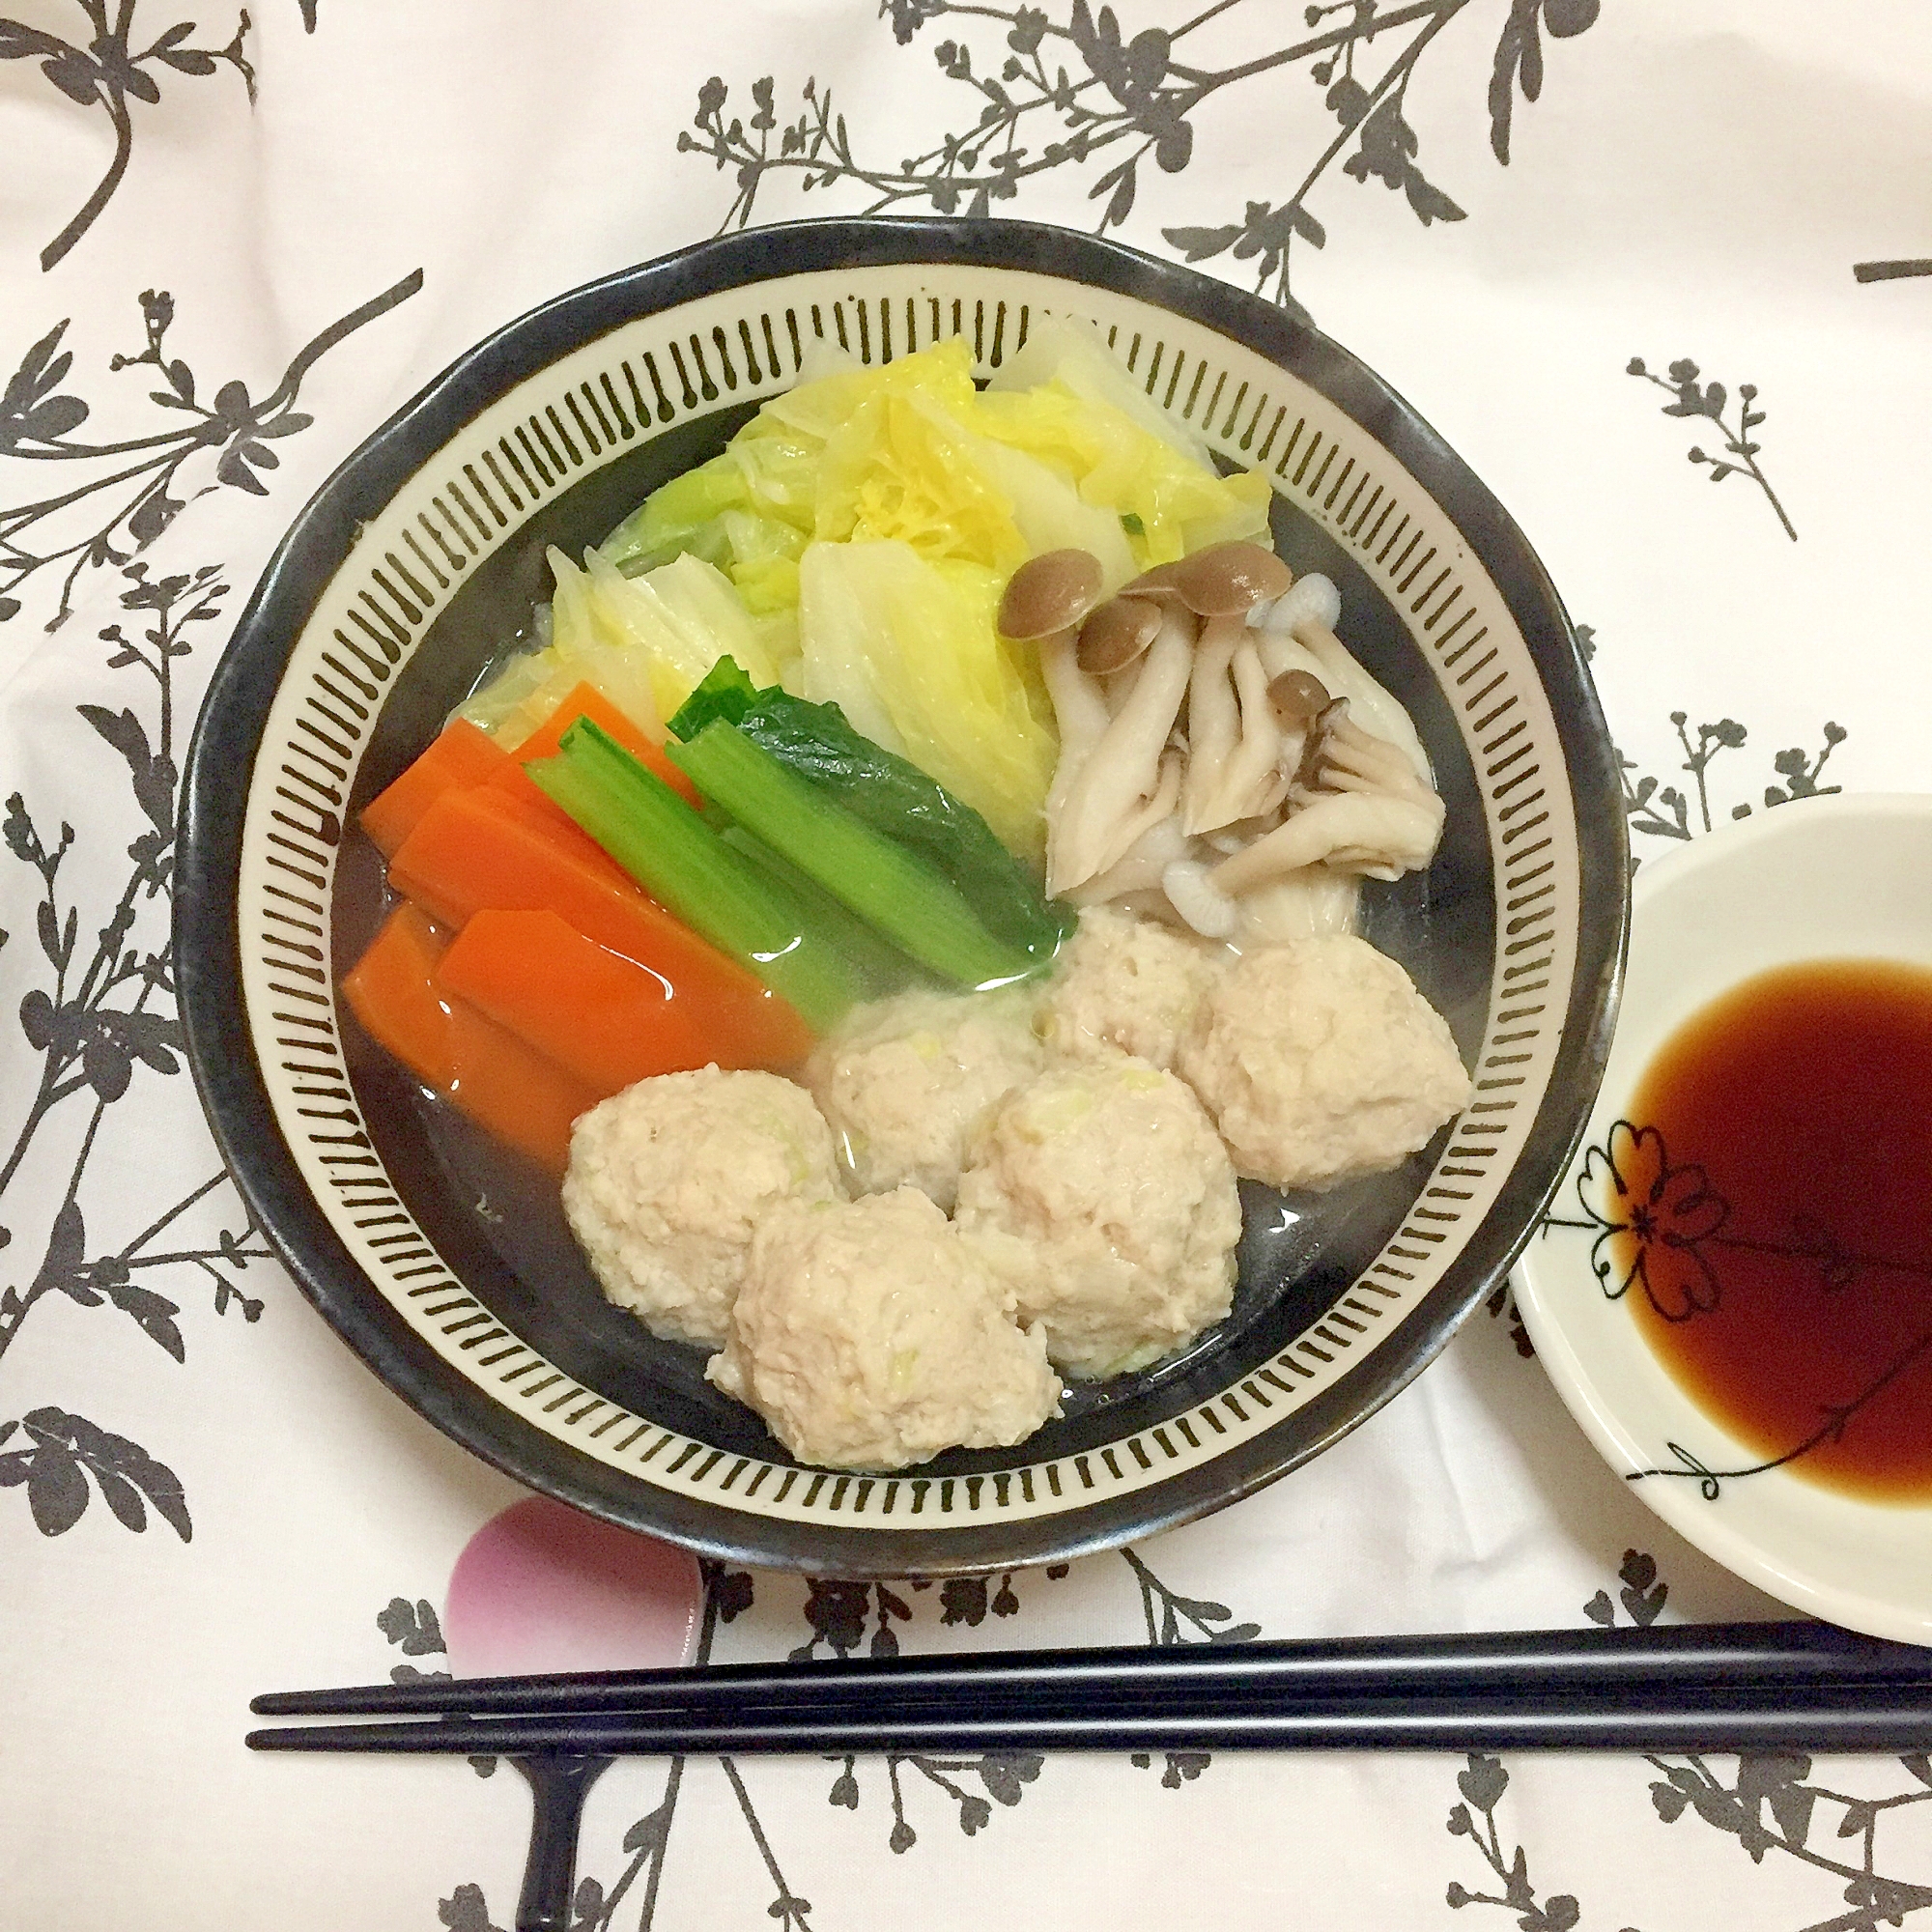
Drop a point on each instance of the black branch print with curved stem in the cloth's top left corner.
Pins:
(105, 69)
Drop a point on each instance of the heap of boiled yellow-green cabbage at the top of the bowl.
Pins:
(886, 507)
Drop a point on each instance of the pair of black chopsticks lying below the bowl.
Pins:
(1688, 1688)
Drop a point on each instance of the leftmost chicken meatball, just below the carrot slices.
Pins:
(669, 1178)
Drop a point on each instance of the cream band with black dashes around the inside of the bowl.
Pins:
(660, 372)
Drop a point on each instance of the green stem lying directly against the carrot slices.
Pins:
(689, 868)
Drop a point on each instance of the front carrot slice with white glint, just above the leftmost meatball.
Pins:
(608, 1019)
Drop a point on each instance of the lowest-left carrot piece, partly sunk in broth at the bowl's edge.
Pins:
(501, 1083)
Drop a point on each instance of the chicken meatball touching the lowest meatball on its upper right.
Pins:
(1104, 1195)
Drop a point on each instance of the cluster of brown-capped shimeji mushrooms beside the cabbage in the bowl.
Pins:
(1208, 753)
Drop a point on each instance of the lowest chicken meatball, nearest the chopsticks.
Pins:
(870, 1336)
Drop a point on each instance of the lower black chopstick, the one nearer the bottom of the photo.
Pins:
(1813, 1719)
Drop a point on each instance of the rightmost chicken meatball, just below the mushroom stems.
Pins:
(1321, 1062)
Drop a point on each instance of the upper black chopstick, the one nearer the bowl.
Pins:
(1518, 1664)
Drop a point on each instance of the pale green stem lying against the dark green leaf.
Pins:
(882, 882)
